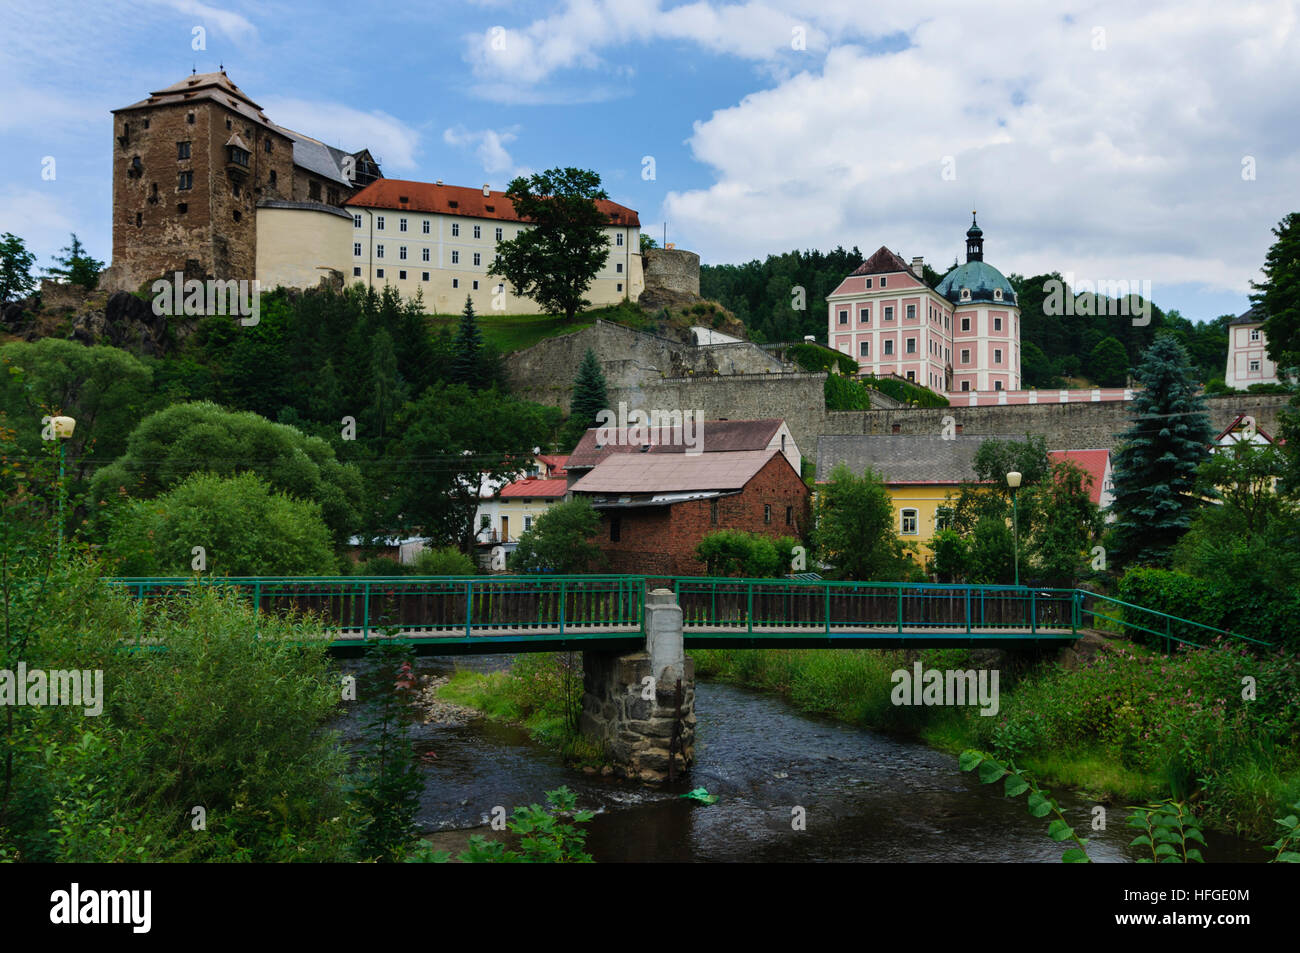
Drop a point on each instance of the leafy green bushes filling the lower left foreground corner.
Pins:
(215, 750)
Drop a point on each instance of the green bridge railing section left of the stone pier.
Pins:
(435, 607)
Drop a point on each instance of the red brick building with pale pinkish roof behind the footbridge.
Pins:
(657, 508)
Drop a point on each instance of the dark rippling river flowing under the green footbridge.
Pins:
(865, 796)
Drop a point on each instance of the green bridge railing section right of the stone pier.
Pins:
(770, 607)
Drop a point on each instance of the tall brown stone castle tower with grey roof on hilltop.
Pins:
(194, 164)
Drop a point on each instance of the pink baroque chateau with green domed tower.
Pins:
(961, 336)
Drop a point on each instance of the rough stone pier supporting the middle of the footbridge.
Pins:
(642, 705)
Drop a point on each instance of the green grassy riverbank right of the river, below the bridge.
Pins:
(1132, 727)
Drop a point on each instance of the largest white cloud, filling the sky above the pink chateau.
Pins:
(1116, 163)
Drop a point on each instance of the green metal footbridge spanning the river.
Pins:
(448, 616)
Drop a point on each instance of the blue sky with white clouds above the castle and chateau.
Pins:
(1110, 141)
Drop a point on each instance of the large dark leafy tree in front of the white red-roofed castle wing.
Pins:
(564, 245)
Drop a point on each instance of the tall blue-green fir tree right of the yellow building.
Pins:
(1155, 469)
